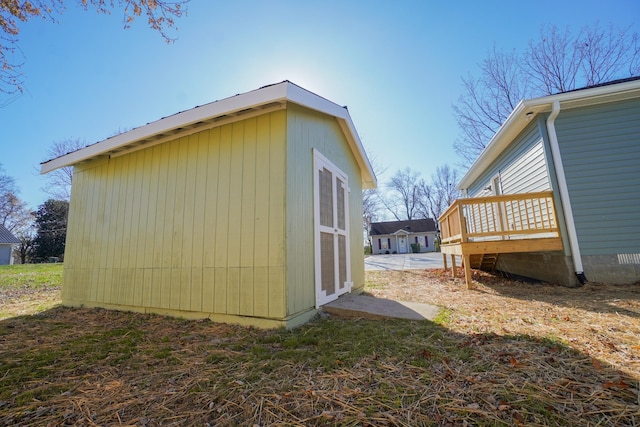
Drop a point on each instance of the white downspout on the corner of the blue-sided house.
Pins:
(564, 193)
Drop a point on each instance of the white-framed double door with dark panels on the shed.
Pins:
(332, 261)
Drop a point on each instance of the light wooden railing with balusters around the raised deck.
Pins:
(506, 217)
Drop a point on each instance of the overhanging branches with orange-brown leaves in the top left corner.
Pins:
(159, 15)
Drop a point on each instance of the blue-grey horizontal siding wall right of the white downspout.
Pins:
(600, 148)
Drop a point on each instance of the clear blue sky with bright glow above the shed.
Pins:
(396, 65)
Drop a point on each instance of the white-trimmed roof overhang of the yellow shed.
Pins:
(266, 99)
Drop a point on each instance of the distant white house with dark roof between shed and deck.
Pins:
(418, 235)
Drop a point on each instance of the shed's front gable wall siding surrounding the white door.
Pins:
(307, 130)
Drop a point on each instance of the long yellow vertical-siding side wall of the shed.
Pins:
(191, 225)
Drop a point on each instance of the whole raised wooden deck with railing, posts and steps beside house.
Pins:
(479, 229)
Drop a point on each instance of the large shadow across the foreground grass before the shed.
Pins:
(93, 366)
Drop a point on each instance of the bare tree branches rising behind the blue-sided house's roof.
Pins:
(557, 61)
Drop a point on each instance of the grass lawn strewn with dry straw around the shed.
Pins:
(506, 353)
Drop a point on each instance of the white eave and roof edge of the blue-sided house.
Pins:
(528, 109)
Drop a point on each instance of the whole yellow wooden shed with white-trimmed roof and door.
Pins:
(246, 210)
